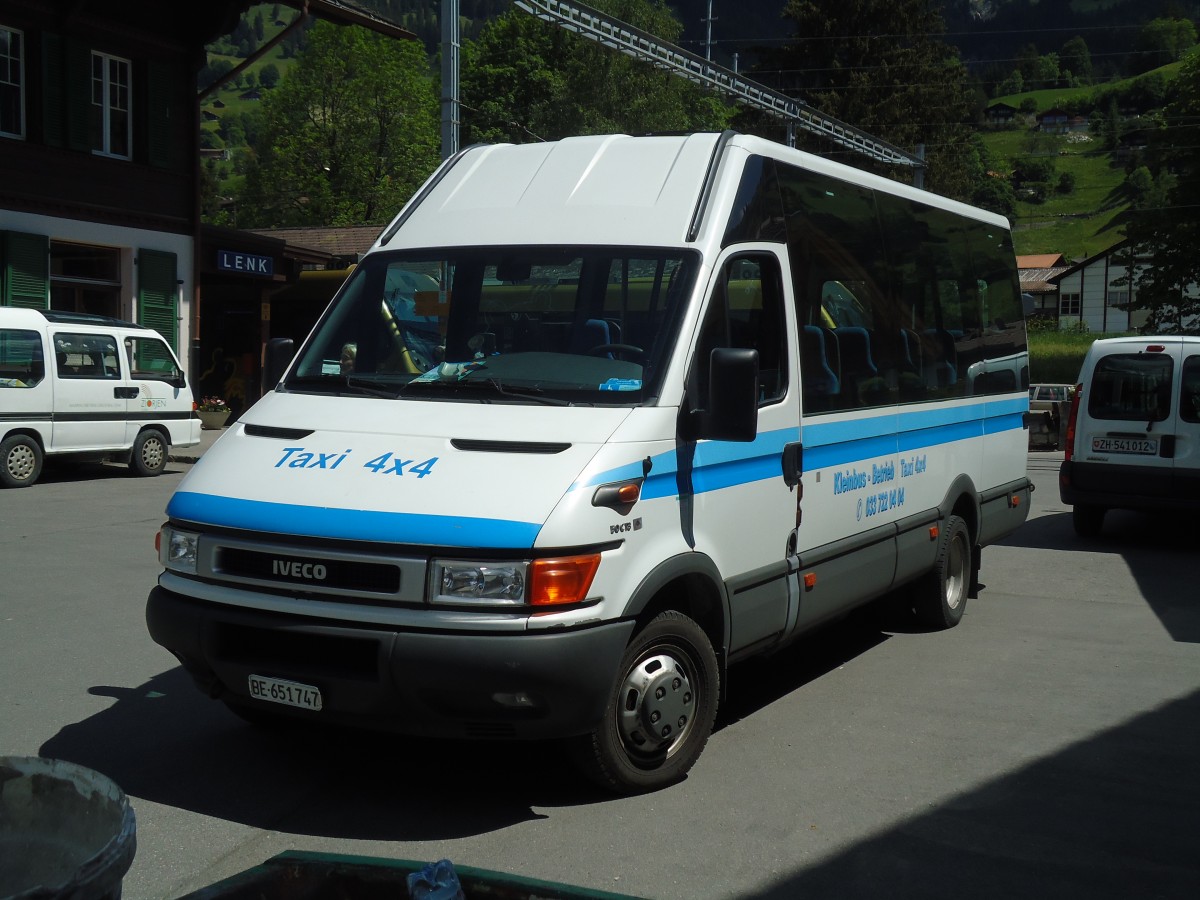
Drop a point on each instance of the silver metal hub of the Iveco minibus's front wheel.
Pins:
(659, 705)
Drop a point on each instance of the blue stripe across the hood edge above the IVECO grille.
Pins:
(350, 524)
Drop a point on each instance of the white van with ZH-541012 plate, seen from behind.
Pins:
(1133, 439)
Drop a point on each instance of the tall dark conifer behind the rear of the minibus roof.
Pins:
(881, 67)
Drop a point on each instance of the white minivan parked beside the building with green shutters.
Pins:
(92, 387)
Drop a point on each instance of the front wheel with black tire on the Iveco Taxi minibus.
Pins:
(669, 681)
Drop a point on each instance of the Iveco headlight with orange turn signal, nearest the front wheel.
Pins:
(542, 583)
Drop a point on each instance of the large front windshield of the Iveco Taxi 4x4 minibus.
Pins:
(553, 326)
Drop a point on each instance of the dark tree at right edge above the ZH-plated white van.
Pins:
(1167, 232)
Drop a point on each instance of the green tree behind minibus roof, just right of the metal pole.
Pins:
(525, 80)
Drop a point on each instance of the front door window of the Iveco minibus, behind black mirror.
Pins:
(747, 311)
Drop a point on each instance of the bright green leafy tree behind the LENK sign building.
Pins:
(346, 137)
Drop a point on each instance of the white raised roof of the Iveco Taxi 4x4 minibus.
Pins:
(604, 189)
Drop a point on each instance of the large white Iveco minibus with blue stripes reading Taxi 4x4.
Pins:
(590, 423)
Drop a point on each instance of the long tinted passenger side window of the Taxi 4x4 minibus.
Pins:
(898, 302)
